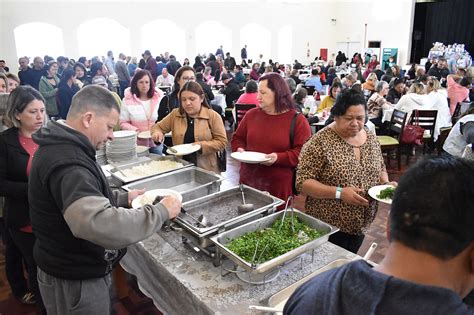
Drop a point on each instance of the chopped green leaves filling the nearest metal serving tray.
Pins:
(279, 241)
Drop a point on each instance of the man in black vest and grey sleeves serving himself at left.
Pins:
(82, 227)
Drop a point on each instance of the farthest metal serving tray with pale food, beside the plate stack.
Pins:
(145, 160)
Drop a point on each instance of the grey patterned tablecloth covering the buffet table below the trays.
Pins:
(181, 281)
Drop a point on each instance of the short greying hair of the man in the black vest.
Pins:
(93, 98)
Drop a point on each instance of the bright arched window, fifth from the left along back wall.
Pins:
(258, 41)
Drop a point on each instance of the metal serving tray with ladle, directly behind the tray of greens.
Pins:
(221, 210)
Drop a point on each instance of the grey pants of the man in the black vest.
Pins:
(76, 297)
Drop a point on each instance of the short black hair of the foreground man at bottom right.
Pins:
(432, 210)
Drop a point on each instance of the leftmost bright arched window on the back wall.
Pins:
(38, 39)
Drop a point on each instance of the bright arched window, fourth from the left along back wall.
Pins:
(210, 35)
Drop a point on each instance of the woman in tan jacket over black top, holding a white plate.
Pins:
(194, 122)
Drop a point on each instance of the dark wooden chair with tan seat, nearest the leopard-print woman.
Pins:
(388, 143)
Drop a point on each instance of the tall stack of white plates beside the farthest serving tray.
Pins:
(123, 147)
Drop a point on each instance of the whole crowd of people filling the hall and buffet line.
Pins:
(57, 112)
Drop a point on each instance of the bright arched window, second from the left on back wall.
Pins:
(96, 37)
